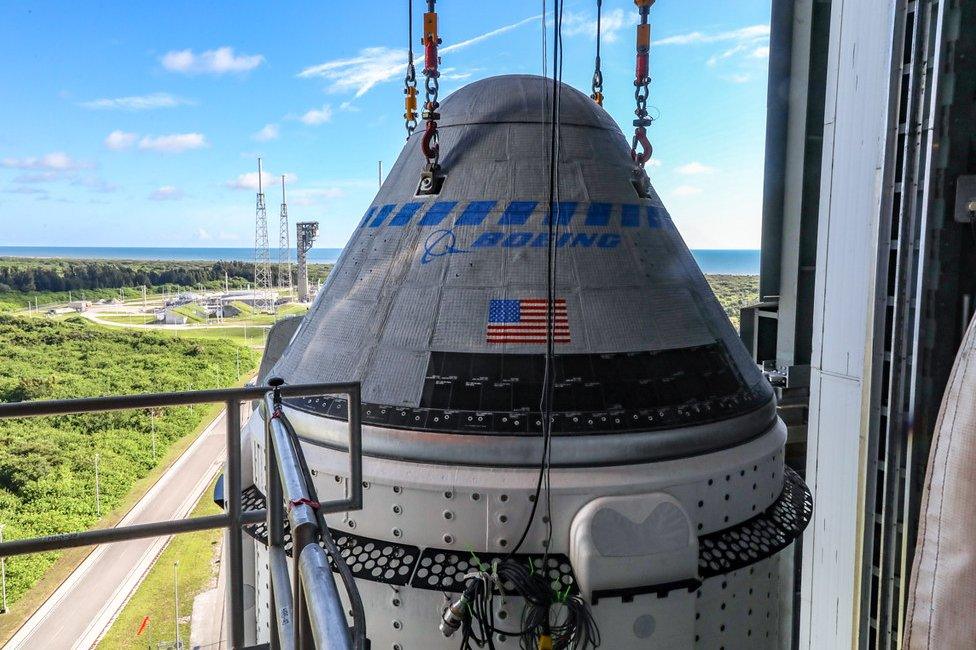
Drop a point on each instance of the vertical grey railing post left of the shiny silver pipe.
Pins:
(235, 550)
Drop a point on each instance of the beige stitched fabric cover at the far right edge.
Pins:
(942, 600)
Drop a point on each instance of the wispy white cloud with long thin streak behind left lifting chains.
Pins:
(375, 65)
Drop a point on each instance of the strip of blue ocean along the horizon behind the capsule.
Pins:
(712, 261)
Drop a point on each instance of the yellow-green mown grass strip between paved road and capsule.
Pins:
(198, 557)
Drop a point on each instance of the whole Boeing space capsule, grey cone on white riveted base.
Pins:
(669, 508)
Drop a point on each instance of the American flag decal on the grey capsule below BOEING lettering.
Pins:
(524, 321)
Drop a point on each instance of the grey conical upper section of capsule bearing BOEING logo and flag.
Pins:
(437, 304)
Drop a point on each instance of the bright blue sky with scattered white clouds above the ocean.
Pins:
(138, 124)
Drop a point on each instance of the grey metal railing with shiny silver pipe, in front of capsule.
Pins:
(315, 589)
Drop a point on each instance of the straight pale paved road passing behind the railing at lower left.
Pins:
(83, 607)
